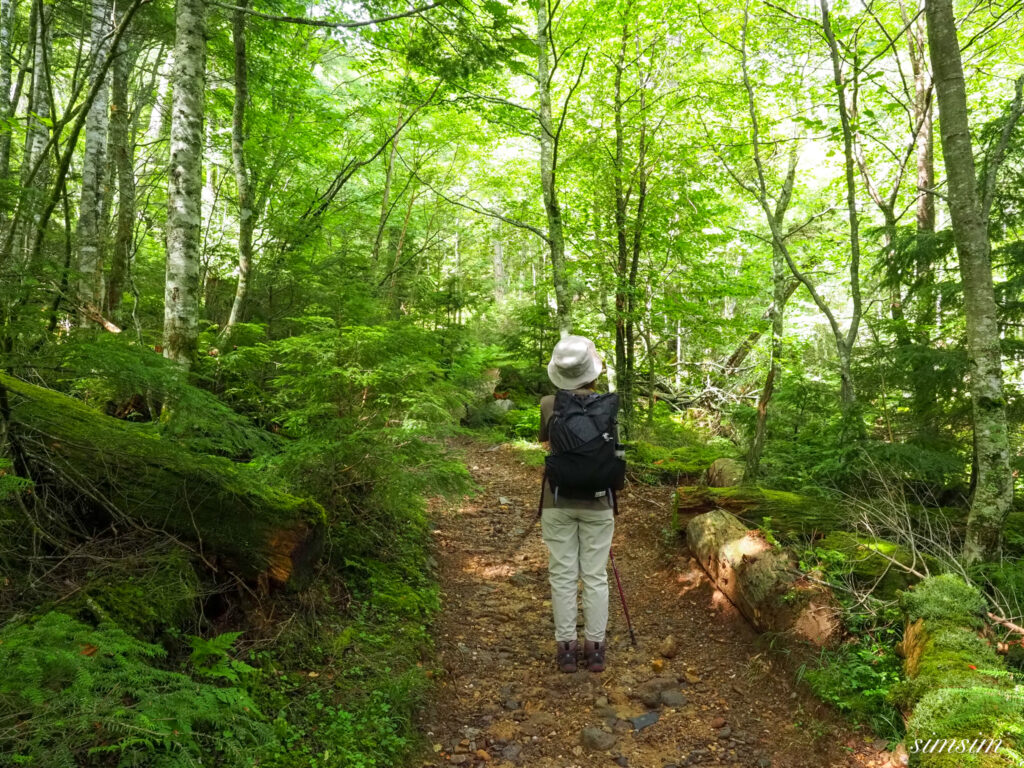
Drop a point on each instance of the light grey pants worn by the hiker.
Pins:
(579, 541)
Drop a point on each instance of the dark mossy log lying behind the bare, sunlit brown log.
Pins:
(791, 515)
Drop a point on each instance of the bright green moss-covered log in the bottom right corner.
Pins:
(956, 688)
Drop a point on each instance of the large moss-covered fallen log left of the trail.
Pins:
(225, 508)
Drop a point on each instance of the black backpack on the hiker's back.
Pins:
(583, 460)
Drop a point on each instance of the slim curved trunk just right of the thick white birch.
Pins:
(247, 217)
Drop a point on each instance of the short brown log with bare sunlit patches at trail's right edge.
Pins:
(761, 581)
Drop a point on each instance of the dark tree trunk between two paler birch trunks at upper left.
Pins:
(123, 149)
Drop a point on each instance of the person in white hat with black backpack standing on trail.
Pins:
(582, 474)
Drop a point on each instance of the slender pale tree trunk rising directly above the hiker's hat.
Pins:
(549, 167)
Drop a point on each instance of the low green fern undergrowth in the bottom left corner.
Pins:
(76, 696)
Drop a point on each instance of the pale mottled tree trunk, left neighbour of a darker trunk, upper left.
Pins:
(91, 255)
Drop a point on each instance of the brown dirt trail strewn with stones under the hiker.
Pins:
(502, 702)
